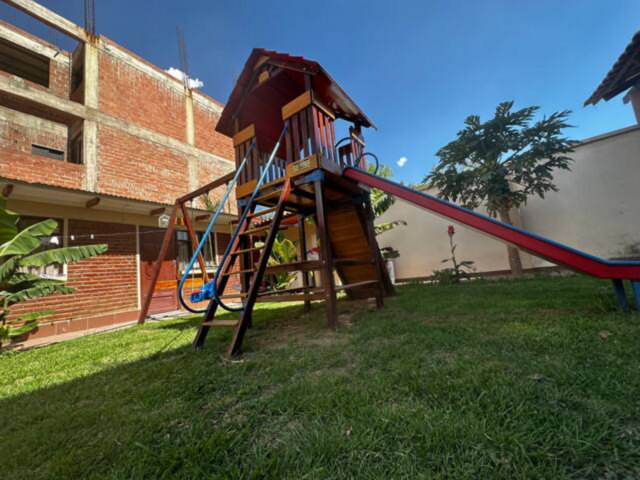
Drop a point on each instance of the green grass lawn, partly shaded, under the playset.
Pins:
(525, 379)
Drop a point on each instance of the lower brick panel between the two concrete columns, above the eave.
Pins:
(134, 168)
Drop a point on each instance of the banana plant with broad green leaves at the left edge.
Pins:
(18, 251)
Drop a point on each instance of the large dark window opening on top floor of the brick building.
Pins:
(24, 63)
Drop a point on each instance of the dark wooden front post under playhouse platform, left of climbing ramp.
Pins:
(326, 259)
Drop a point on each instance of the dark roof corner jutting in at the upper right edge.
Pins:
(624, 74)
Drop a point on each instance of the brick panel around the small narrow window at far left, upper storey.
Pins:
(17, 162)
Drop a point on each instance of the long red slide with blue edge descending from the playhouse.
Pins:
(529, 242)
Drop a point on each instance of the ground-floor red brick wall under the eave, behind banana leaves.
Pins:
(104, 284)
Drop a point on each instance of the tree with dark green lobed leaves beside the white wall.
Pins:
(502, 162)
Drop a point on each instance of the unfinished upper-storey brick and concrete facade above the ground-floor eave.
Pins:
(145, 136)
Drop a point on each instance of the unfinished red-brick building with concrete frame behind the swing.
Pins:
(104, 142)
